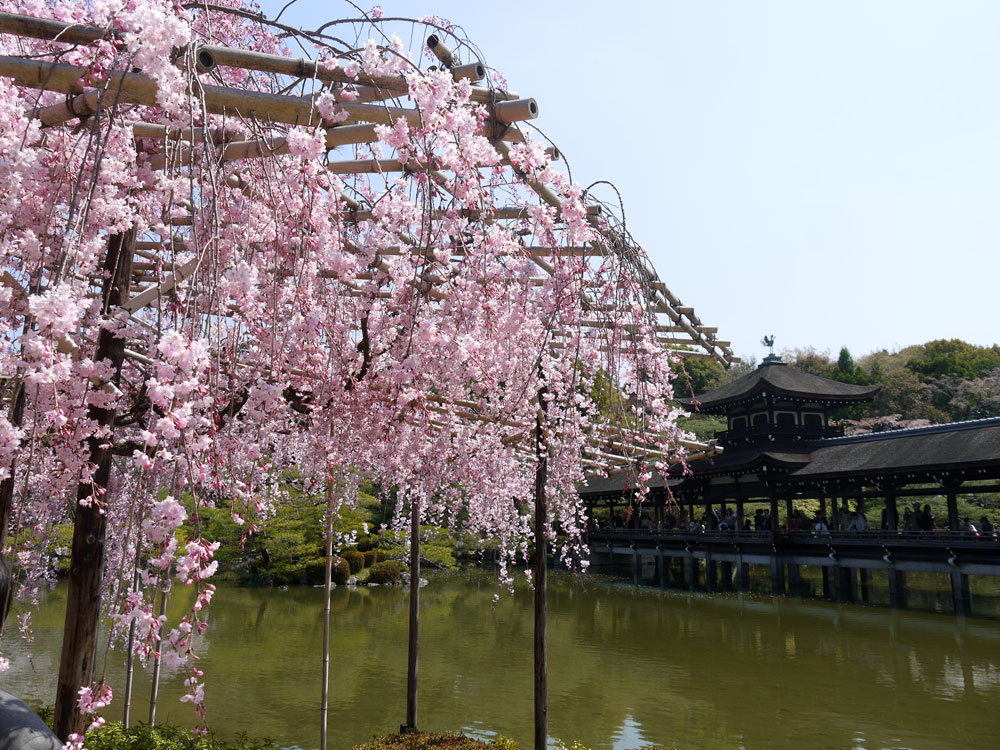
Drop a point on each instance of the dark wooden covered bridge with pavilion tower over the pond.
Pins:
(779, 448)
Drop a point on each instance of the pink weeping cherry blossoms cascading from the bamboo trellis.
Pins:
(394, 325)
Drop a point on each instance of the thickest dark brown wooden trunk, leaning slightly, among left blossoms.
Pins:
(83, 599)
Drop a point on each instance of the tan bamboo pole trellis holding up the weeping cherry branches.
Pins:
(157, 265)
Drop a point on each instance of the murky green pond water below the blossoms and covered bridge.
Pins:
(627, 667)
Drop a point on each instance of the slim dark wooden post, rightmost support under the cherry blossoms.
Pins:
(540, 573)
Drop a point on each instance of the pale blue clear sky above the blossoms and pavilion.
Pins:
(828, 172)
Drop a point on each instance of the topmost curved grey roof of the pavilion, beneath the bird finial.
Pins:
(779, 379)
